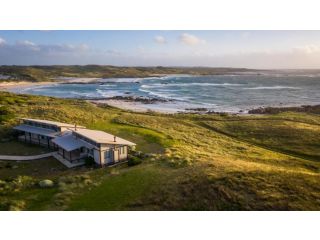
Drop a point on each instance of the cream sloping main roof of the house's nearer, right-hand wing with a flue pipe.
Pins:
(102, 137)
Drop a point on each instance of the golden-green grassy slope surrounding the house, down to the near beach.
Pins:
(194, 162)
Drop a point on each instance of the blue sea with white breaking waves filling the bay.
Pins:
(230, 93)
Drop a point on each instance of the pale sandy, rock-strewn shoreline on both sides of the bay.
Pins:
(140, 104)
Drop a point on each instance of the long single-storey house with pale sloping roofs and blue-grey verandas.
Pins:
(74, 143)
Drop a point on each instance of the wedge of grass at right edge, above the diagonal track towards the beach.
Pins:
(280, 135)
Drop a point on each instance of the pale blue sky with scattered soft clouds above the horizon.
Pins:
(249, 49)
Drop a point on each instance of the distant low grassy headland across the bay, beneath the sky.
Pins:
(47, 73)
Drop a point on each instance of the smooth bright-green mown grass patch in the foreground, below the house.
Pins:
(120, 191)
